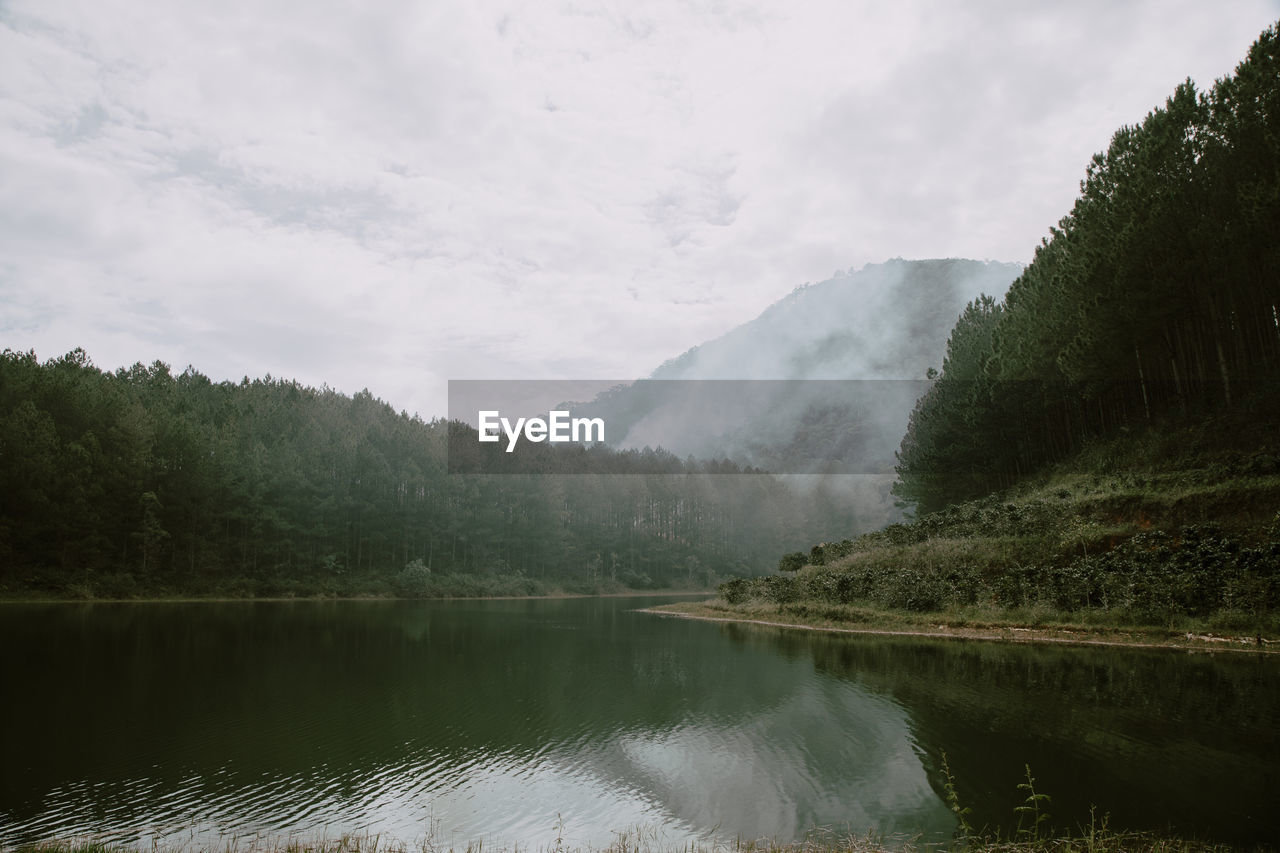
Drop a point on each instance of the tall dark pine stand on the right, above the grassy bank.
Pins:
(1156, 297)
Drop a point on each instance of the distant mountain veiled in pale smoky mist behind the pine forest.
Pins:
(834, 370)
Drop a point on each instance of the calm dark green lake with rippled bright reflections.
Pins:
(524, 720)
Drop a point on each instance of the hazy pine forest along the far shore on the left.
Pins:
(143, 481)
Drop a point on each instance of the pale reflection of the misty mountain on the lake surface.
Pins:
(829, 756)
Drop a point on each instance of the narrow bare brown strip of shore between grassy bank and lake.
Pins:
(1004, 633)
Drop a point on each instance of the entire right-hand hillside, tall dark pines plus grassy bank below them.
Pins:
(1100, 448)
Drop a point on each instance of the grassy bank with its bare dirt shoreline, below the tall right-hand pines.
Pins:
(1171, 537)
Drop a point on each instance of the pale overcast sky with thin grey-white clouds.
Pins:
(390, 195)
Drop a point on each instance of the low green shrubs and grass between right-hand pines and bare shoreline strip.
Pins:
(1114, 550)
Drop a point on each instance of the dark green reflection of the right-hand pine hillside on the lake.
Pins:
(1158, 740)
